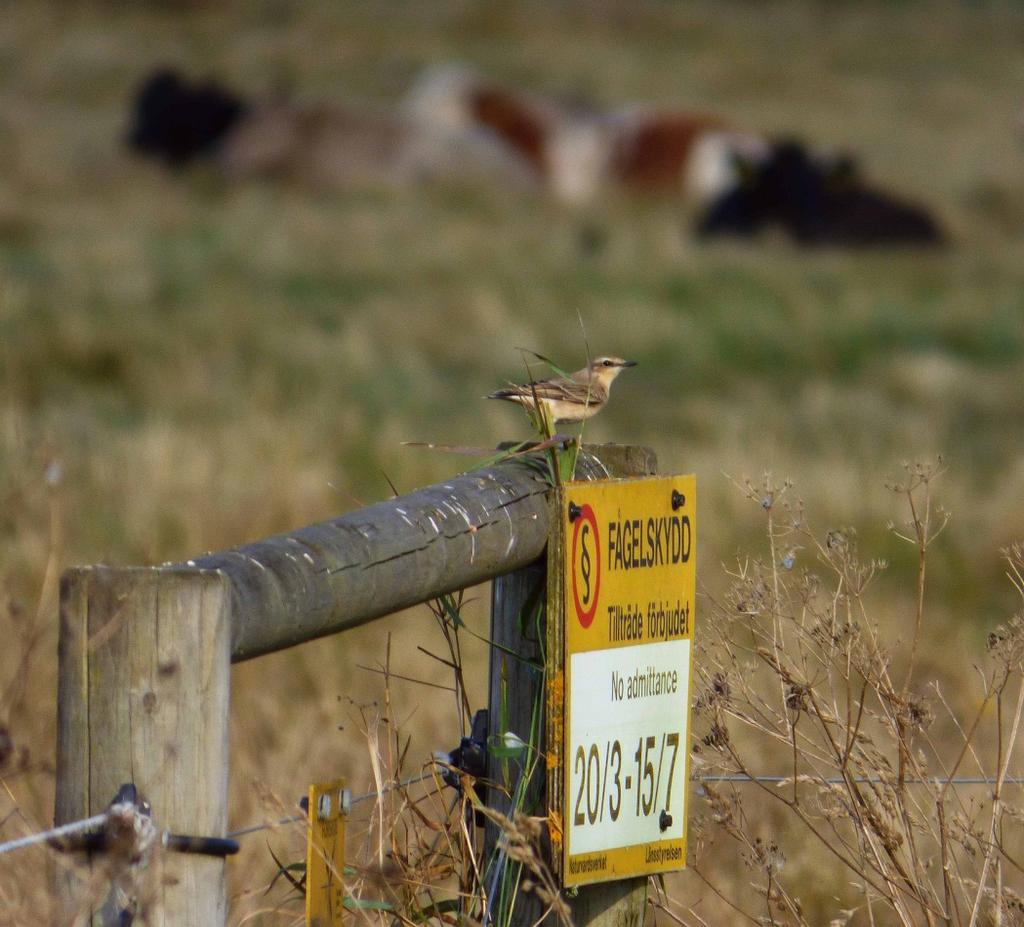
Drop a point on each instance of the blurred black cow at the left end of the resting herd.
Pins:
(178, 122)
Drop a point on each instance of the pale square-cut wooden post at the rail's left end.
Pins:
(145, 678)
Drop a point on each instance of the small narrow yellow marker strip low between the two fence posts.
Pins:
(329, 805)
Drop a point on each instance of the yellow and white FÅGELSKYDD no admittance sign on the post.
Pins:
(629, 608)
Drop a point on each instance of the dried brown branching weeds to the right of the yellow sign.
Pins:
(871, 749)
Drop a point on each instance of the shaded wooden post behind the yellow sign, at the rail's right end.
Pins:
(516, 688)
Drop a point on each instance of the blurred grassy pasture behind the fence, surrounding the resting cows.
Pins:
(187, 365)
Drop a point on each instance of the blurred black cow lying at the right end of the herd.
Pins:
(817, 203)
